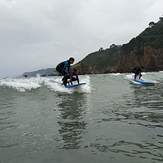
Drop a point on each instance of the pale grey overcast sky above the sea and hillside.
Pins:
(38, 34)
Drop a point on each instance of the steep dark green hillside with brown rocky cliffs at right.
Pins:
(144, 50)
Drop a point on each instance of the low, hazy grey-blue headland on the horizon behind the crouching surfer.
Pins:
(42, 72)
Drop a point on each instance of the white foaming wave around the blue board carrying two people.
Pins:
(54, 84)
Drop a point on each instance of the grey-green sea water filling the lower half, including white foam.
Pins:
(109, 120)
